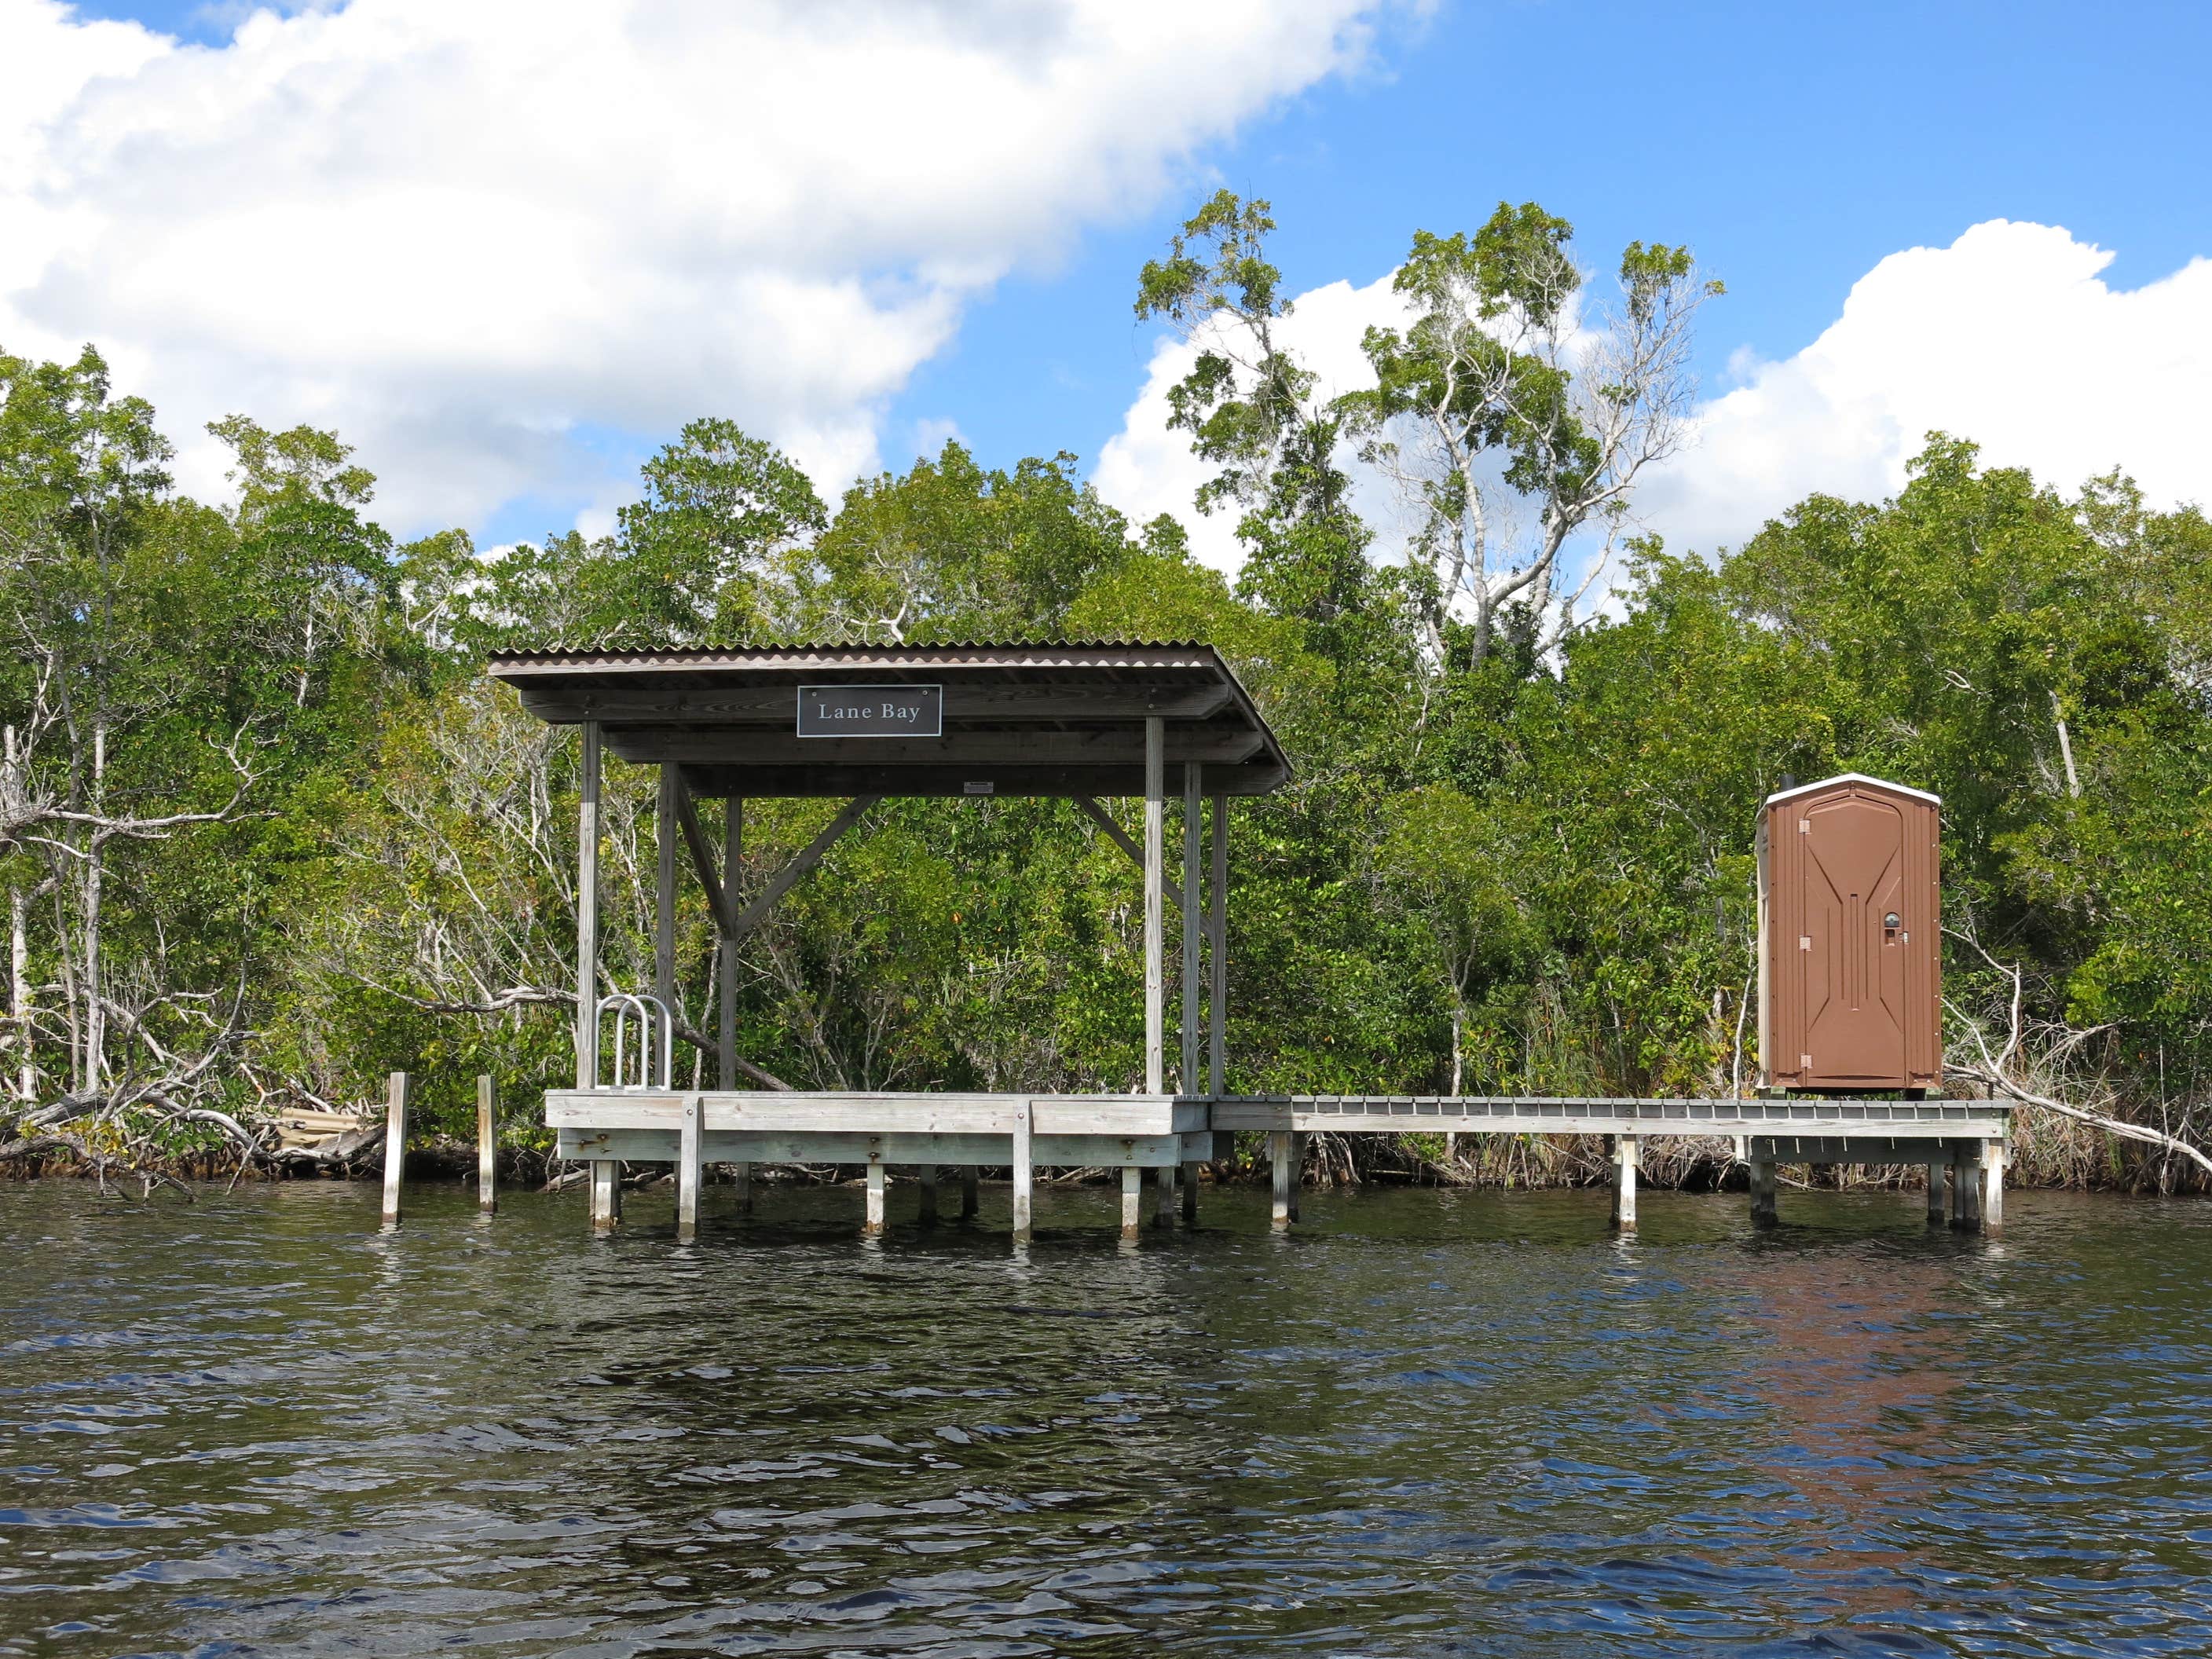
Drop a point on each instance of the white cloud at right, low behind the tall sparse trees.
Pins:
(2007, 337)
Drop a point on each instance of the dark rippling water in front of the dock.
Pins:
(1428, 1423)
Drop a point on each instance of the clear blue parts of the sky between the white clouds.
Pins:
(1791, 147)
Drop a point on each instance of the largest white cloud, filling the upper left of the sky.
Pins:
(472, 231)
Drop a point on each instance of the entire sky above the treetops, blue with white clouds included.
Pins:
(508, 249)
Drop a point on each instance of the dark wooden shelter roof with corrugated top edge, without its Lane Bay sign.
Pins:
(1039, 720)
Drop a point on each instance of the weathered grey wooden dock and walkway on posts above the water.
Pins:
(1963, 1142)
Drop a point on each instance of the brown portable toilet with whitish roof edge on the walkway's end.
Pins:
(1848, 939)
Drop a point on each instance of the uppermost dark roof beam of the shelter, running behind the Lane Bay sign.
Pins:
(565, 705)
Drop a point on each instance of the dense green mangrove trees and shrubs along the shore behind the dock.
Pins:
(269, 835)
